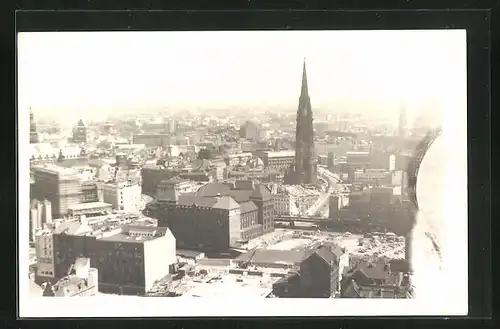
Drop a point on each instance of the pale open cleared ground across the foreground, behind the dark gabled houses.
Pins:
(264, 261)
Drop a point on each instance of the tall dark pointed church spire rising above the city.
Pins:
(305, 158)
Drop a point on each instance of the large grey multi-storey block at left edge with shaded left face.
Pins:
(60, 186)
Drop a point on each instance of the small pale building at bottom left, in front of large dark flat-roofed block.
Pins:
(81, 281)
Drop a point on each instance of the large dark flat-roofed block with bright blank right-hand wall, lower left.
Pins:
(129, 258)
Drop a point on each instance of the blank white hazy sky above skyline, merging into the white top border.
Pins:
(91, 74)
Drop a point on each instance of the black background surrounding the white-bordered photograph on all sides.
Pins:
(482, 49)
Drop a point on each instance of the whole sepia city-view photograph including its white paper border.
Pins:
(300, 172)
